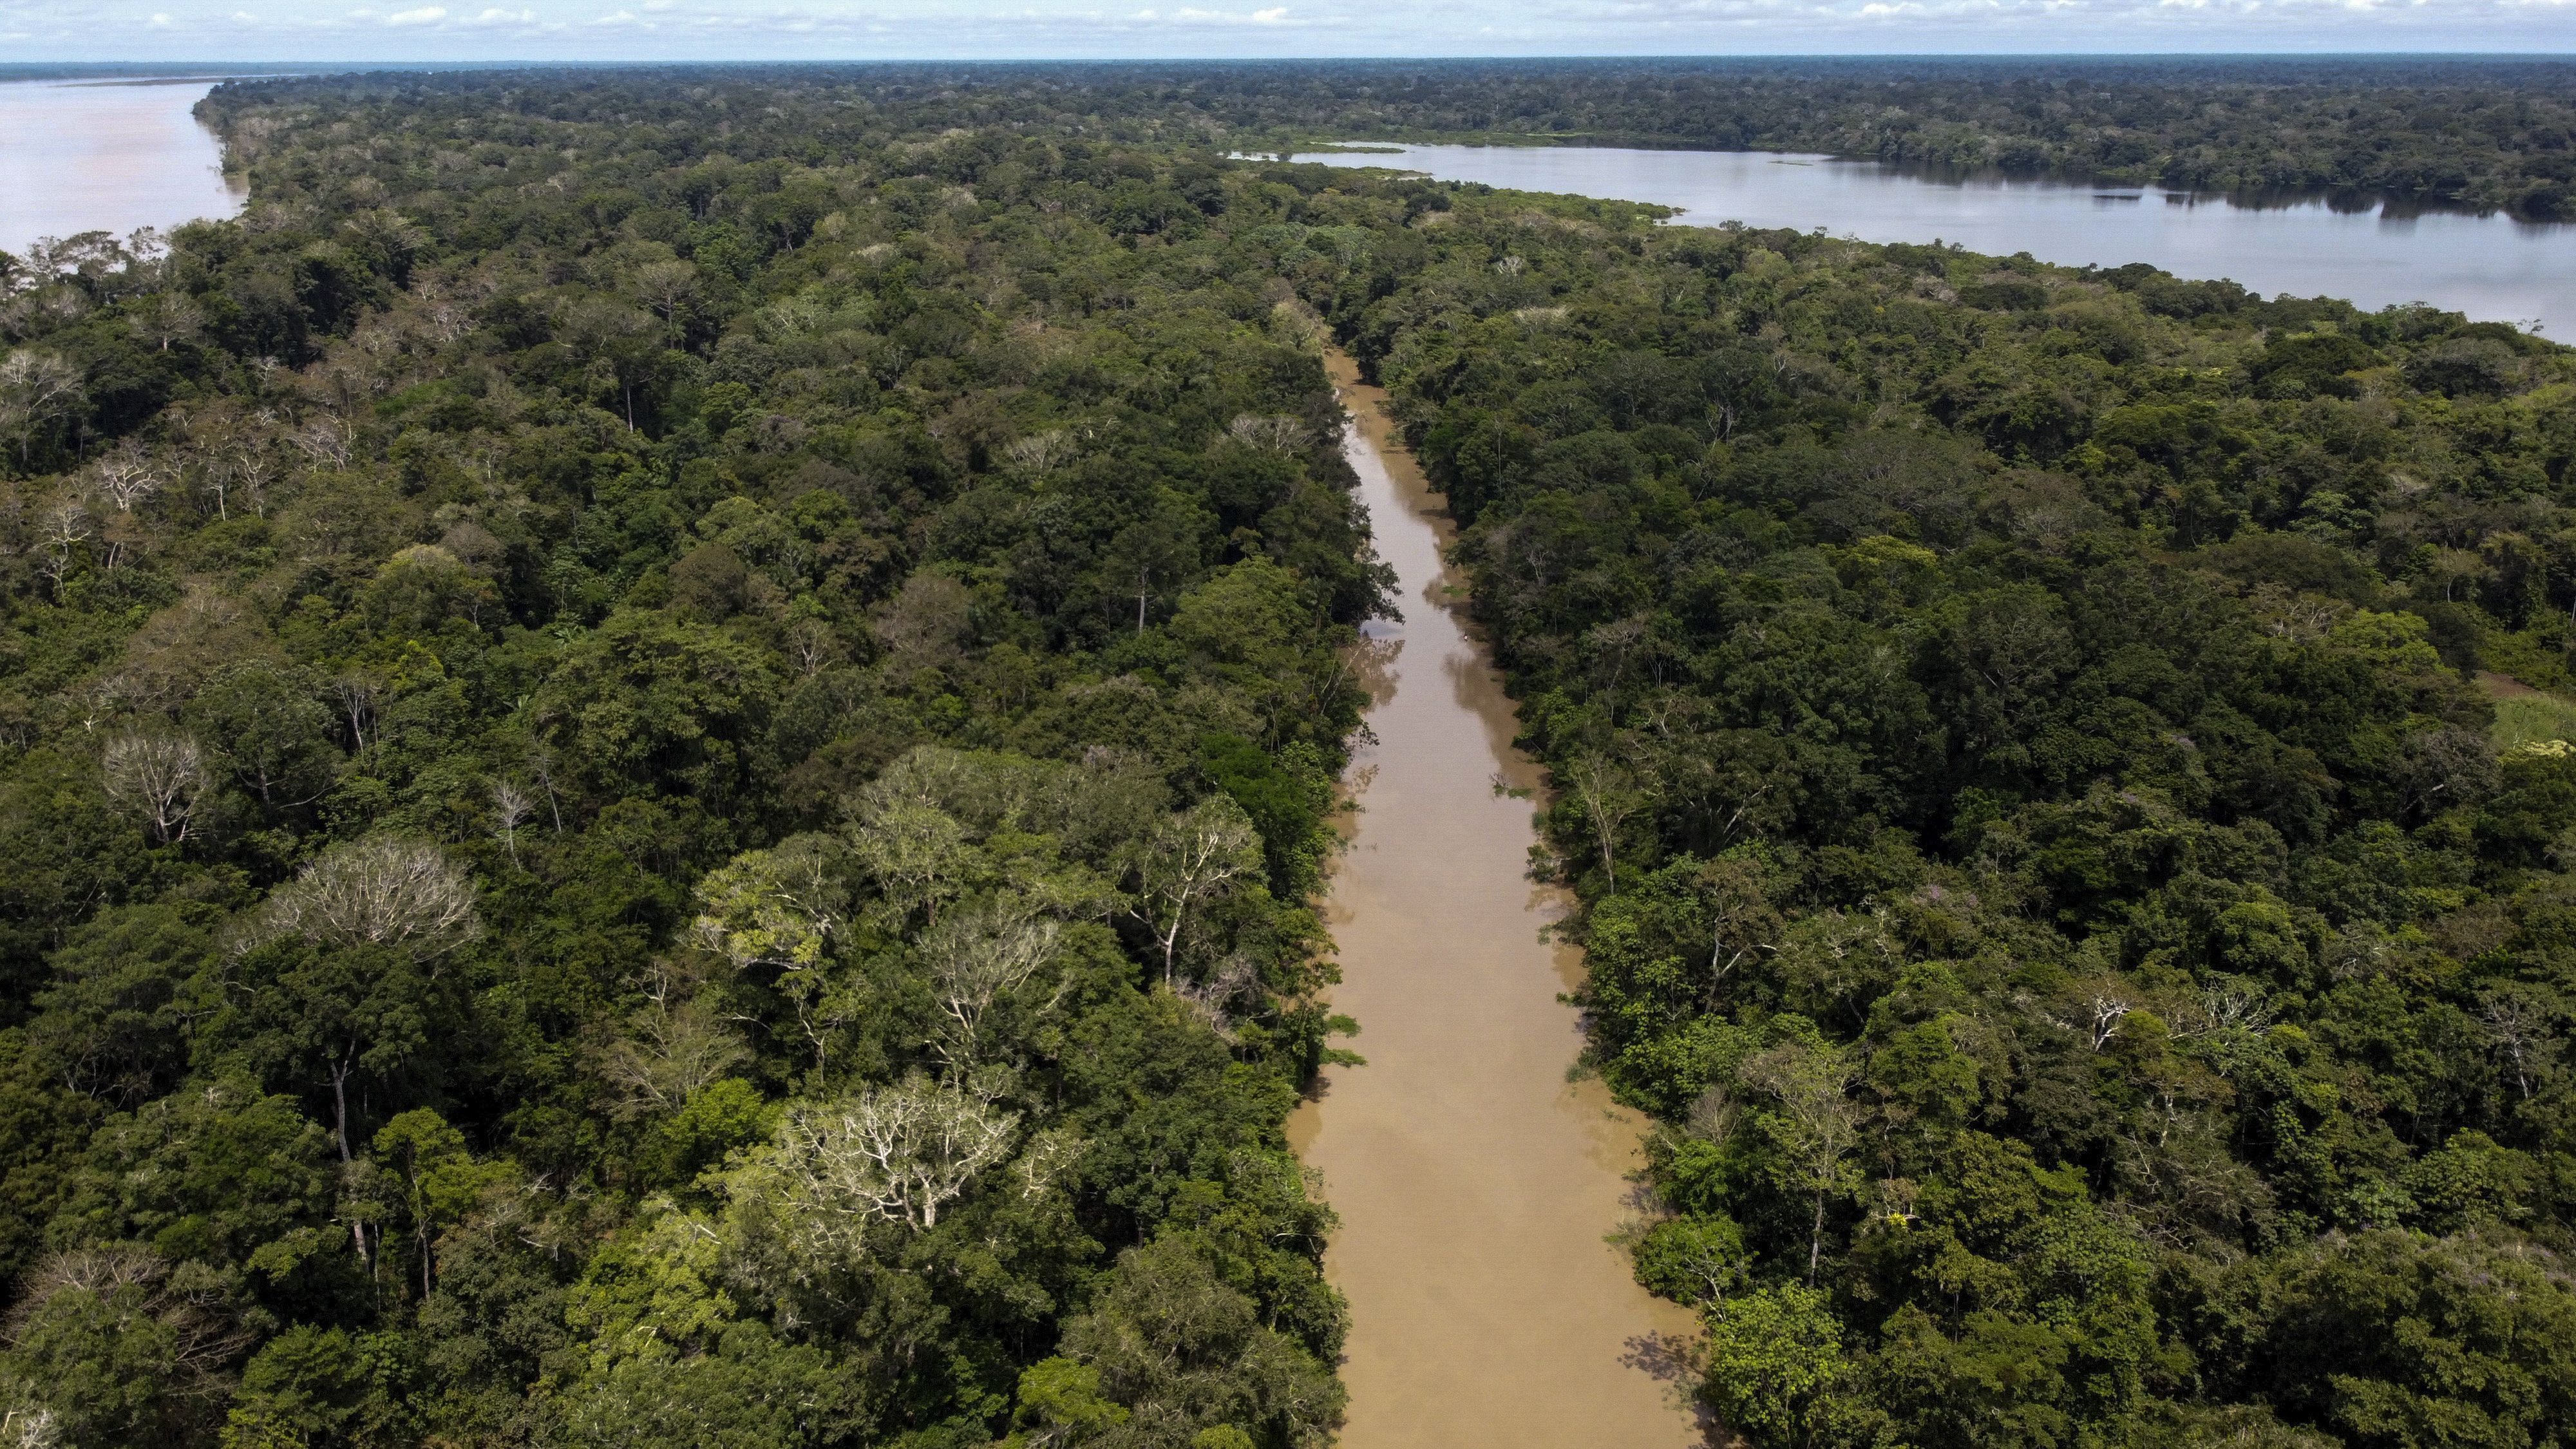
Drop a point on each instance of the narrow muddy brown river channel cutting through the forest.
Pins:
(1475, 1182)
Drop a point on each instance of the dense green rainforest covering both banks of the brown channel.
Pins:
(666, 744)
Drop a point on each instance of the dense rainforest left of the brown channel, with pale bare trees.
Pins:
(656, 793)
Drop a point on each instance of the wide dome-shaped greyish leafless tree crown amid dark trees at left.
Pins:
(380, 891)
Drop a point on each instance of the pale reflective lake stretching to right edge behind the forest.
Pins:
(2492, 269)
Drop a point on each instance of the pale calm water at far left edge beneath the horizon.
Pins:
(107, 159)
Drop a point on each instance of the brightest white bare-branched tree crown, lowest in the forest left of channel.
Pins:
(893, 1154)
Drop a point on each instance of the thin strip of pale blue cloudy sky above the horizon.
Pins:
(1279, 30)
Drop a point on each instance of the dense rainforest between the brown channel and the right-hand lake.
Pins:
(2072, 808)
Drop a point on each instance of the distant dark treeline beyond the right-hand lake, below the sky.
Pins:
(2490, 133)
